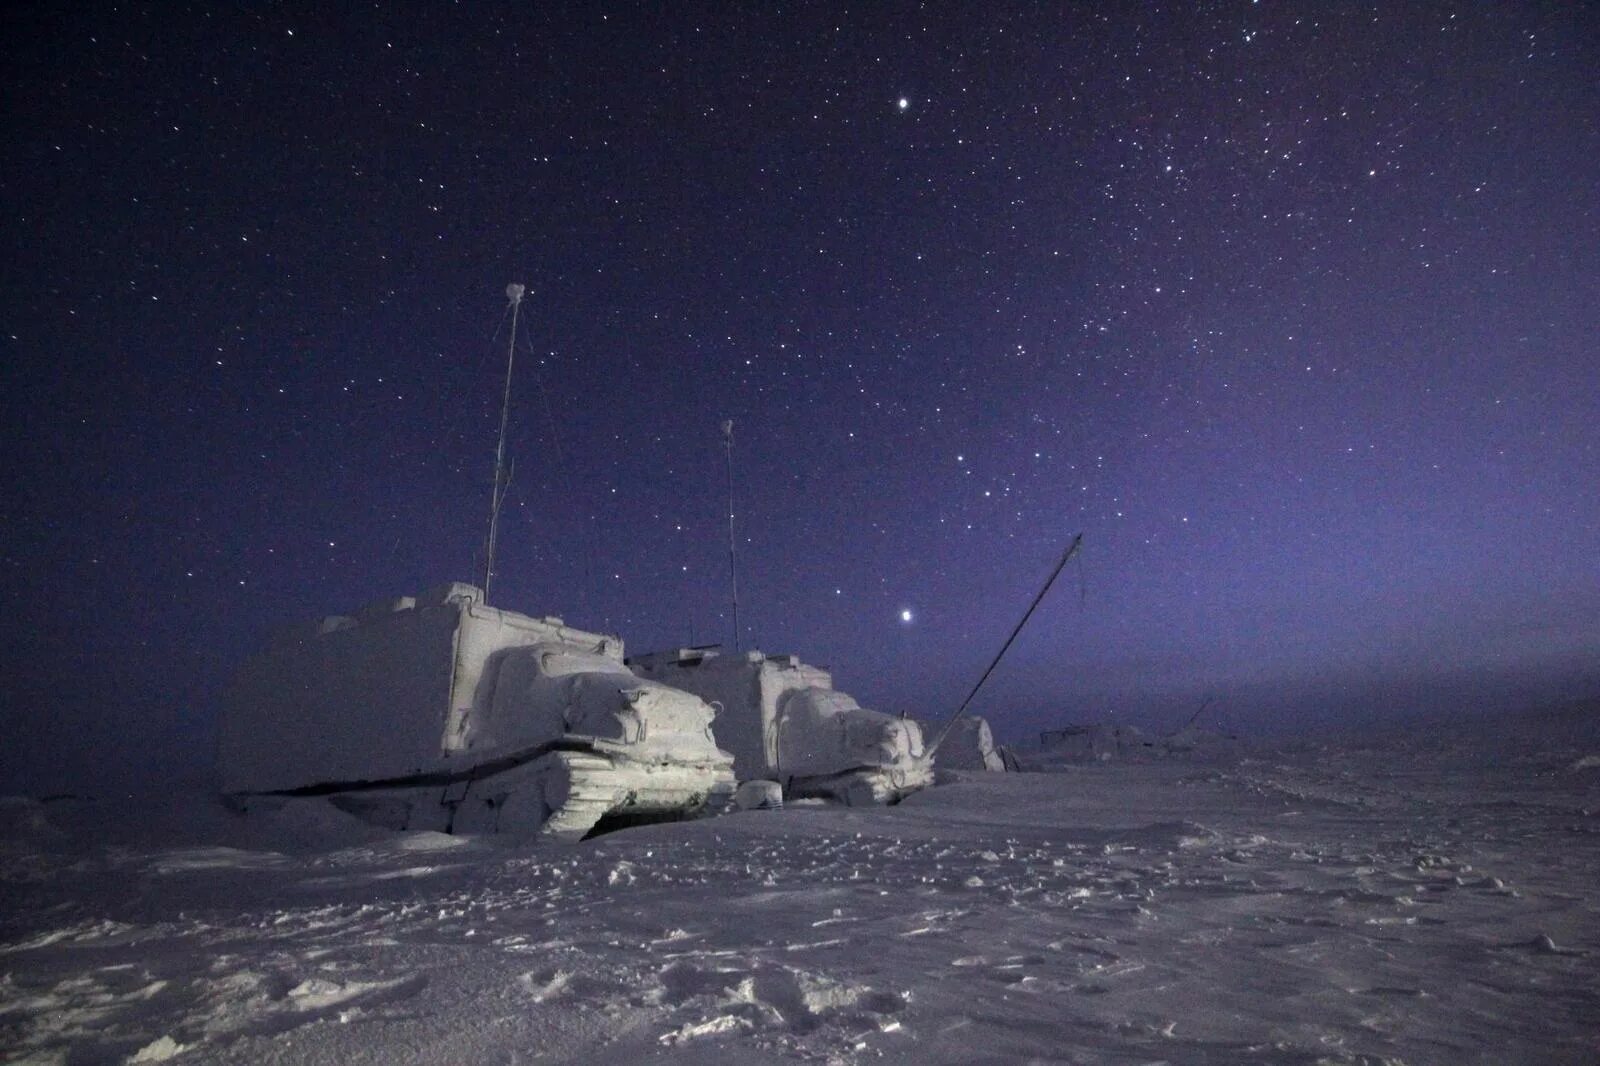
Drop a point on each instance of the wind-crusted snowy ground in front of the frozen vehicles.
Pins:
(1308, 907)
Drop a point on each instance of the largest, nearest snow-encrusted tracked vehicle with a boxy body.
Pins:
(444, 713)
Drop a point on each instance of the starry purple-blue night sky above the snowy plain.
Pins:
(1290, 310)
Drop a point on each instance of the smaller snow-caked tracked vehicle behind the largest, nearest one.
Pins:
(785, 721)
